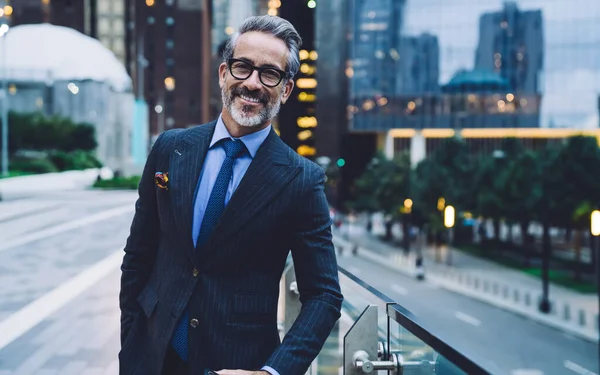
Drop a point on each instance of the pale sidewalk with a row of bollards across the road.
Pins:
(487, 281)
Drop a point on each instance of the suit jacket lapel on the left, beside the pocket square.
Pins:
(186, 166)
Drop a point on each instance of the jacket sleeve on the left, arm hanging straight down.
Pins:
(141, 246)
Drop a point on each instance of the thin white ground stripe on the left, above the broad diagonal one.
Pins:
(66, 227)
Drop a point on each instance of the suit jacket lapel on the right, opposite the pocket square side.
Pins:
(269, 172)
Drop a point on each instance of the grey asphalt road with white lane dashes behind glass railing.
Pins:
(516, 345)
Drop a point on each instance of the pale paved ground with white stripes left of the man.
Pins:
(59, 279)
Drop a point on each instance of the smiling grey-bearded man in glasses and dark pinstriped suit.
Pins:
(220, 206)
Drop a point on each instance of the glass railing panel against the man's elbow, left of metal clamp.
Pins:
(357, 296)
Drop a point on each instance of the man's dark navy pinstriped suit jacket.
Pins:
(279, 206)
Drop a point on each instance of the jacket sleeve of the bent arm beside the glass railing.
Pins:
(317, 276)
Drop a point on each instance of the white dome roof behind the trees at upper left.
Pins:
(48, 52)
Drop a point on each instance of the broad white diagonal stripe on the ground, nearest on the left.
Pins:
(29, 316)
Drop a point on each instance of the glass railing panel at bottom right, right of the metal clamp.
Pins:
(420, 348)
